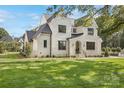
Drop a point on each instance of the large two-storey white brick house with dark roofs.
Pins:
(58, 36)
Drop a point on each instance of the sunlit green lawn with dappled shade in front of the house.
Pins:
(58, 72)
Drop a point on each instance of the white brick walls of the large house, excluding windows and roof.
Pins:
(52, 40)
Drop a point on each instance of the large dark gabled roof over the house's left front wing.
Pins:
(43, 29)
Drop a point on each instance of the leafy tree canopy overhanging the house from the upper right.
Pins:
(109, 18)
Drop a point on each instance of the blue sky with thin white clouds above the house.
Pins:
(17, 19)
